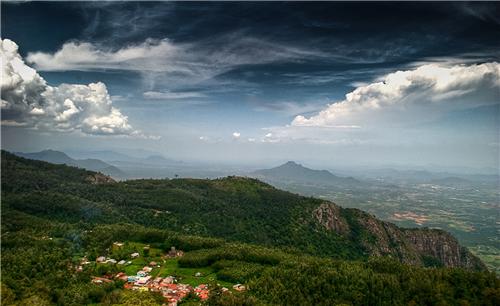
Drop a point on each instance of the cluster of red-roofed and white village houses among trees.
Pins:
(143, 280)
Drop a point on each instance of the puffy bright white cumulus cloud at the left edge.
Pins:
(27, 100)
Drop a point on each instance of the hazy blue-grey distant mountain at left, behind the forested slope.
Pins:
(57, 157)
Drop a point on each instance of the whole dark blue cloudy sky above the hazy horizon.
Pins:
(330, 84)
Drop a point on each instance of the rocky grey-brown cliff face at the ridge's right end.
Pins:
(379, 238)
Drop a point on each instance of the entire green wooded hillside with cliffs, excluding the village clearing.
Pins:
(288, 249)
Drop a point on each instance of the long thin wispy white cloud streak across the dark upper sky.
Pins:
(163, 58)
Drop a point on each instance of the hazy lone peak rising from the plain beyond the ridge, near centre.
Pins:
(291, 172)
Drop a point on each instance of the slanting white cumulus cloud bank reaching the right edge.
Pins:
(414, 95)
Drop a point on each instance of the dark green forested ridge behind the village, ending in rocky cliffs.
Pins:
(234, 208)
